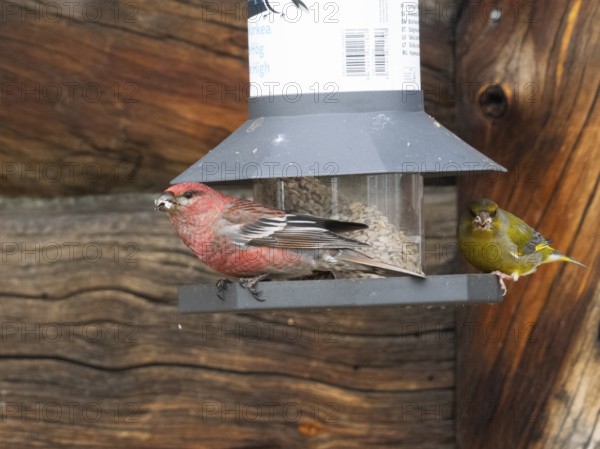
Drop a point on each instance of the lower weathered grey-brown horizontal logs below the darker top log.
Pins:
(94, 352)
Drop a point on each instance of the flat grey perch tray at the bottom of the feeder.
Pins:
(456, 289)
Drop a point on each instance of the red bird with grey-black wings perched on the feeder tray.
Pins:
(248, 242)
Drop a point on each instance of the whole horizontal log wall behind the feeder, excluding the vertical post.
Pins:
(113, 99)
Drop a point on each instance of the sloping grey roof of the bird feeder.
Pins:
(345, 133)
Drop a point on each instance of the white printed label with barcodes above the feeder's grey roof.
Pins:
(308, 46)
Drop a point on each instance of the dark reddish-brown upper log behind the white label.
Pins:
(110, 96)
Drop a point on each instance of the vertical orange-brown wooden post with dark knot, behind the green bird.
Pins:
(528, 370)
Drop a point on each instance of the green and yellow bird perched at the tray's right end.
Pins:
(495, 241)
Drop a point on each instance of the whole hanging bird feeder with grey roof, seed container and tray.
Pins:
(337, 129)
